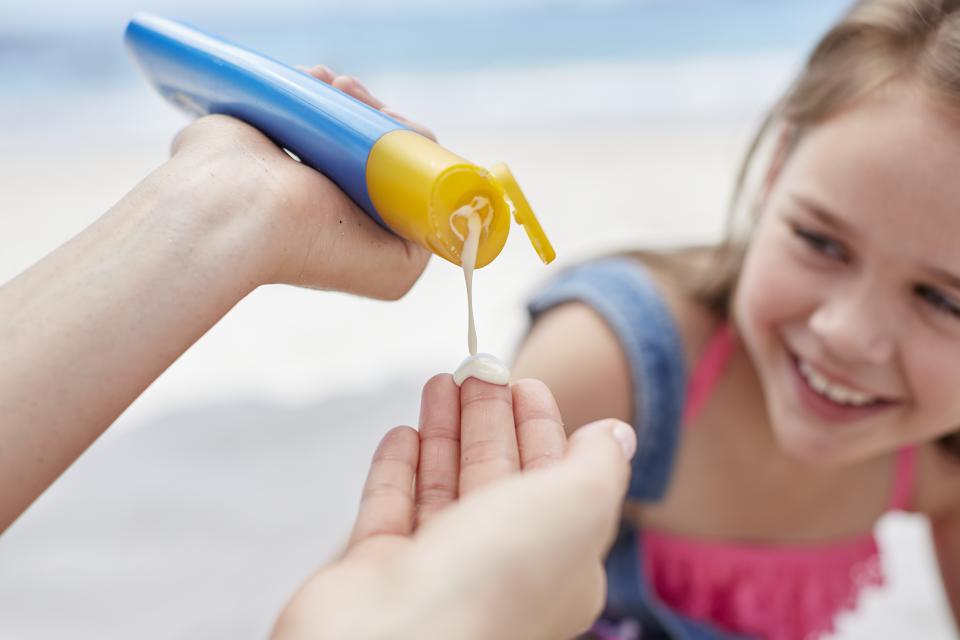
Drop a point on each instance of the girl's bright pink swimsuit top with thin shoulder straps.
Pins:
(782, 592)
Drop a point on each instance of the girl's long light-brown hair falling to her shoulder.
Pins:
(877, 43)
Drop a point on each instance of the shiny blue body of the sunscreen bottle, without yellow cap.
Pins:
(204, 74)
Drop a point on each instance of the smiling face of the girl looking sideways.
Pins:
(849, 299)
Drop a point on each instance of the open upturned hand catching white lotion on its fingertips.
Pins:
(486, 523)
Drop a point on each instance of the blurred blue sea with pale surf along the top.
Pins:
(490, 62)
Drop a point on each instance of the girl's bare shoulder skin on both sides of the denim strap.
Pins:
(579, 356)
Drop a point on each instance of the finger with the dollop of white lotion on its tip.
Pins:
(488, 436)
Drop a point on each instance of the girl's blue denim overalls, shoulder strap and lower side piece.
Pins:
(623, 293)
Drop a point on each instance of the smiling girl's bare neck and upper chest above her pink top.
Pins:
(733, 480)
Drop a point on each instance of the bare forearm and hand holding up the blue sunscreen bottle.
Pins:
(88, 328)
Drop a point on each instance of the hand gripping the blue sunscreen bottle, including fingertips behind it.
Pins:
(313, 235)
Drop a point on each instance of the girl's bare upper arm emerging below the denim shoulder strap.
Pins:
(578, 356)
